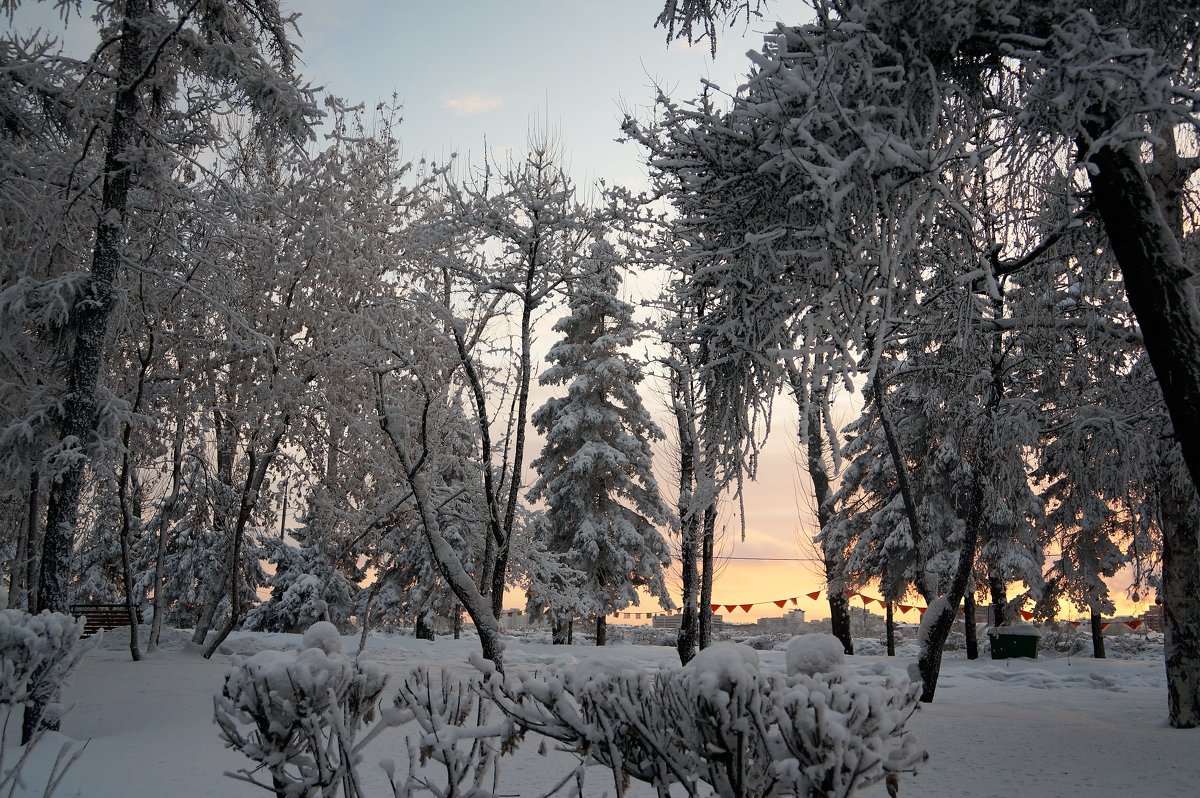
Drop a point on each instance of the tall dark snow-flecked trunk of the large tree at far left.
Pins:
(91, 317)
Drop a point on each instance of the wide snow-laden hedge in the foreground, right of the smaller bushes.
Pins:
(722, 725)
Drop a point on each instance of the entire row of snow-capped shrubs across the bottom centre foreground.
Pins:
(721, 725)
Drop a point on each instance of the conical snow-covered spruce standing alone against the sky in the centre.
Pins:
(603, 503)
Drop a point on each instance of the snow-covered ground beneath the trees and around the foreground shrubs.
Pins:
(1029, 729)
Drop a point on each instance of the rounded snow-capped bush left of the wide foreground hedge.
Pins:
(298, 715)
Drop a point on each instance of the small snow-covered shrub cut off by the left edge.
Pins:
(38, 655)
